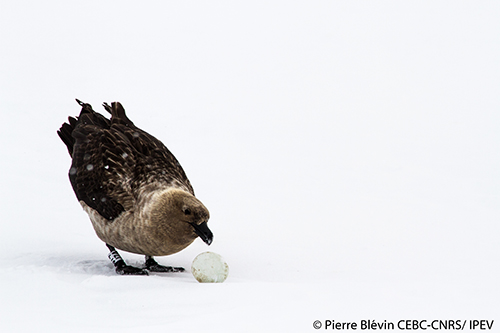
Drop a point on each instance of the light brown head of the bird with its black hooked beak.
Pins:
(182, 215)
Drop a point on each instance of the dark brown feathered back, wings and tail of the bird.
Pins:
(113, 160)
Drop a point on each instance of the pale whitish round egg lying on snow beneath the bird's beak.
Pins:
(209, 267)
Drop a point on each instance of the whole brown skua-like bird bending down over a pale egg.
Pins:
(134, 190)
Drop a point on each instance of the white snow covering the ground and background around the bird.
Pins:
(348, 151)
